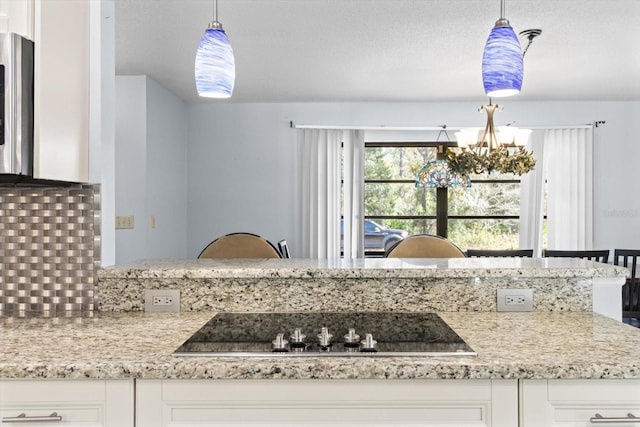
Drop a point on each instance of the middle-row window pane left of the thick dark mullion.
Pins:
(398, 199)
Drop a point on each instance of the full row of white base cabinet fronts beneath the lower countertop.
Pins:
(271, 403)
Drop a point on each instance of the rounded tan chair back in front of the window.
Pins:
(424, 246)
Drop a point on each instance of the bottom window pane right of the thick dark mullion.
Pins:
(485, 233)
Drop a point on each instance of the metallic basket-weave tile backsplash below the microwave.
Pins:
(49, 248)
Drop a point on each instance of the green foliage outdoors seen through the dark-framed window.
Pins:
(398, 198)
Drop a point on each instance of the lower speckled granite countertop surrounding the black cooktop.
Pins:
(139, 345)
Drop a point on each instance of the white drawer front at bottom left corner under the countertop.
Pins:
(84, 403)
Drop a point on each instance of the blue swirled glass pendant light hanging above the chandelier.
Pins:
(502, 62)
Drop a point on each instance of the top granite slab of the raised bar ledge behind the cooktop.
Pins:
(363, 268)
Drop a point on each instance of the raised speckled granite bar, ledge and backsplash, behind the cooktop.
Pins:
(559, 284)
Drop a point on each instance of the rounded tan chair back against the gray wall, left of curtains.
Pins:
(240, 245)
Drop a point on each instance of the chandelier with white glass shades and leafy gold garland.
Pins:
(501, 150)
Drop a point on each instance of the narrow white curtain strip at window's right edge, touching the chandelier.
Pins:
(532, 197)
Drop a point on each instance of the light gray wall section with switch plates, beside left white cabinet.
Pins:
(150, 170)
